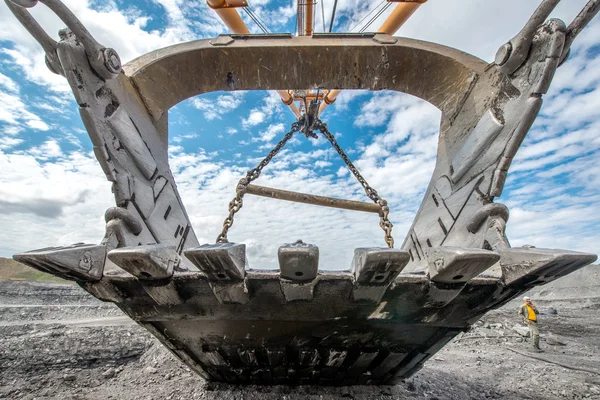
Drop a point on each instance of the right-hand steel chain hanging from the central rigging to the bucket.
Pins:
(384, 221)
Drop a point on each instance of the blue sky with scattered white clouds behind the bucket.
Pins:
(53, 192)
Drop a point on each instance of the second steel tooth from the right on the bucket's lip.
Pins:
(457, 264)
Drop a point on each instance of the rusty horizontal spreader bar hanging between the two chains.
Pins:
(312, 199)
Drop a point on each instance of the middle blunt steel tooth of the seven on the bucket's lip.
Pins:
(299, 261)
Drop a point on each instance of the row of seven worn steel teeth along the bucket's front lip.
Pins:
(373, 269)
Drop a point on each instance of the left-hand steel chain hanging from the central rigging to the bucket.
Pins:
(236, 204)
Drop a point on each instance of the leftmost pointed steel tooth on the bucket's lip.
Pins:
(79, 262)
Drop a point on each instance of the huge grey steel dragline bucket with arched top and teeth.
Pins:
(376, 323)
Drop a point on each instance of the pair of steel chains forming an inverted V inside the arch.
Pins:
(301, 126)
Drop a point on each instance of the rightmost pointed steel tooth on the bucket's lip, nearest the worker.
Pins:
(530, 266)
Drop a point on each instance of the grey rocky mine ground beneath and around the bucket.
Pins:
(57, 342)
